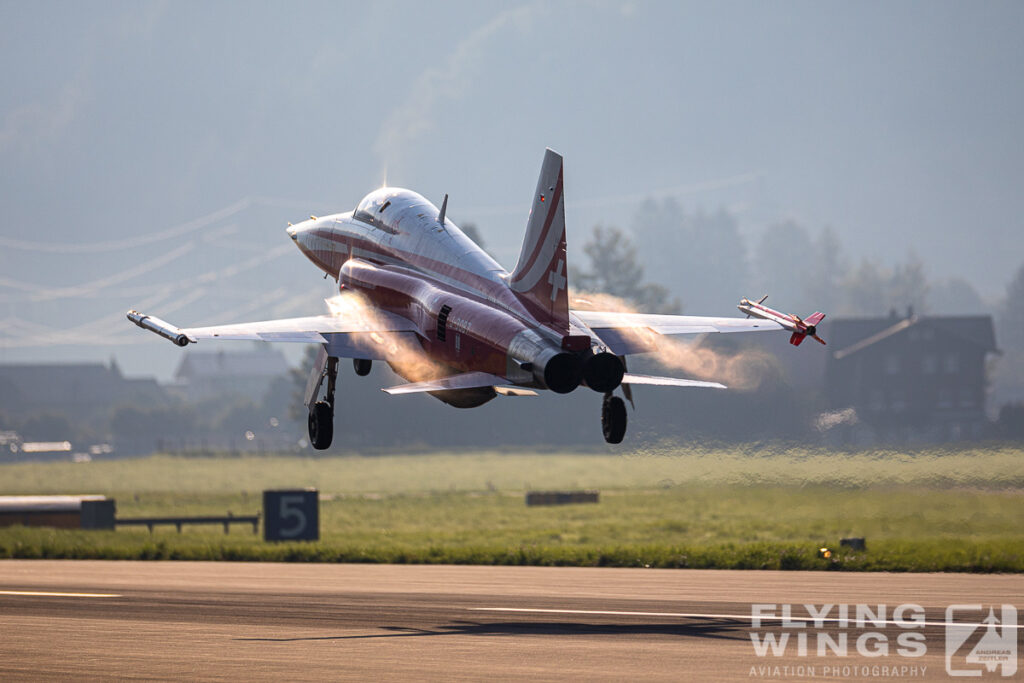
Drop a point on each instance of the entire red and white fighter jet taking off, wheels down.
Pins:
(421, 296)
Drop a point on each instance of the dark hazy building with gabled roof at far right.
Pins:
(914, 379)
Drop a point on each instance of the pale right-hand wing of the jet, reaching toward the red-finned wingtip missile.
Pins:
(636, 333)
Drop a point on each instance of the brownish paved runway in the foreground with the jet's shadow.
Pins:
(99, 620)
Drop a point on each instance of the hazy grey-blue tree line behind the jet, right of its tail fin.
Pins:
(702, 261)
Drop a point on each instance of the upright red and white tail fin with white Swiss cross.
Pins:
(541, 277)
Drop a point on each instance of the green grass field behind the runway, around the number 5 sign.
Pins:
(747, 509)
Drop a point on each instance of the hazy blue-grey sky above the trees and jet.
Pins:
(897, 123)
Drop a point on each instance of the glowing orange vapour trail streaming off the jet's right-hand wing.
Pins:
(743, 371)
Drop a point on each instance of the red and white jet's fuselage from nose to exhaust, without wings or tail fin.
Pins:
(395, 250)
